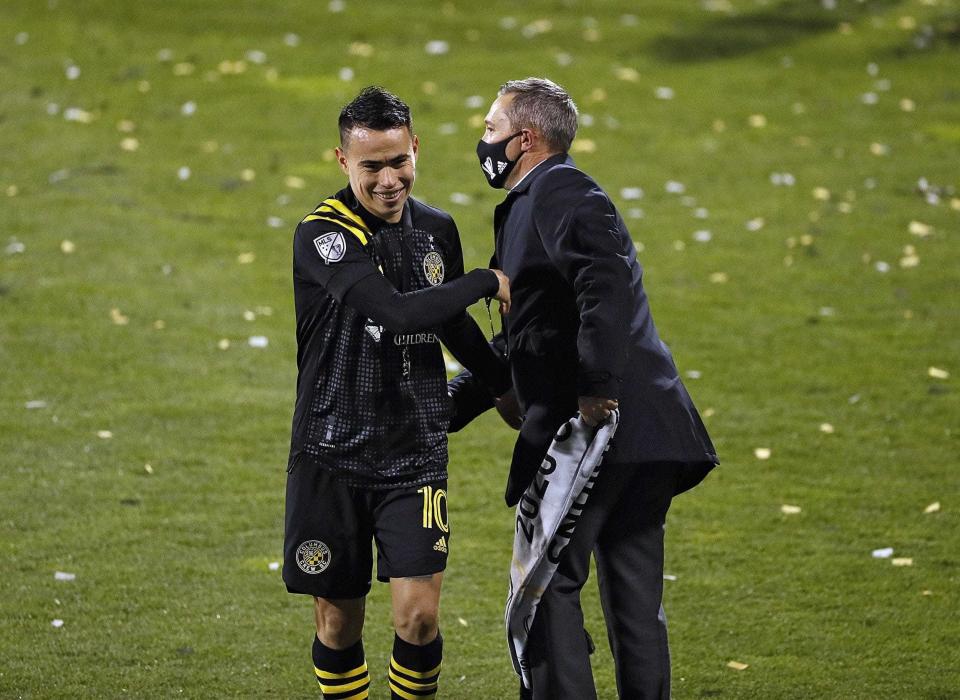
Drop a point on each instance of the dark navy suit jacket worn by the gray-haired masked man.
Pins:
(580, 325)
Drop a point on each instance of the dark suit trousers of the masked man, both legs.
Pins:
(622, 525)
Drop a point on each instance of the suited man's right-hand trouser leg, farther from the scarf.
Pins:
(629, 556)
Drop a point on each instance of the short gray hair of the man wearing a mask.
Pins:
(543, 105)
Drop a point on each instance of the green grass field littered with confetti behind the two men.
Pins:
(156, 157)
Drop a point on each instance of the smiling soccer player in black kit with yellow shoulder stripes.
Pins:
(378, 284)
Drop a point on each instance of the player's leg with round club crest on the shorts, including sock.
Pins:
(327, 555)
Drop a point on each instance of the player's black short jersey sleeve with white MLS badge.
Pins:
(330, 256)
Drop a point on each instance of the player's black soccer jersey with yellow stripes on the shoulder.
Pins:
(372, 402)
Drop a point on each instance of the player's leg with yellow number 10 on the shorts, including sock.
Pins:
(413, 535)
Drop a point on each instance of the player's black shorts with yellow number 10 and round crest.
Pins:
(329, 528)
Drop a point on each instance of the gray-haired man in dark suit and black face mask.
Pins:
(579, 336)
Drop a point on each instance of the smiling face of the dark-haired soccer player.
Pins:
(381, 166)
